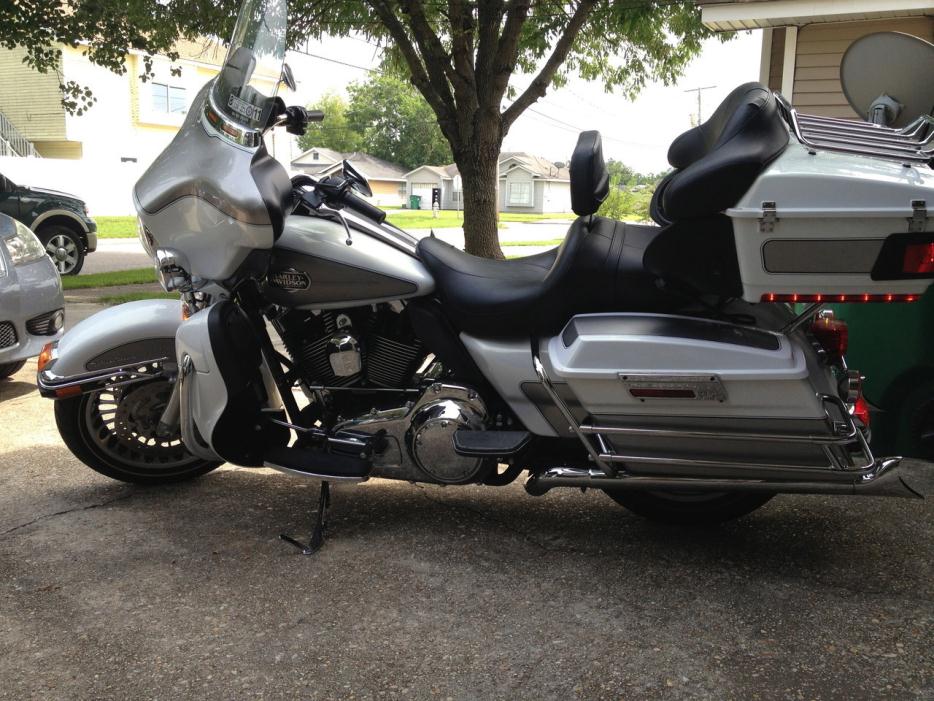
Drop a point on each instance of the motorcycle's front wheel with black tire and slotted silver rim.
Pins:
(114, 433)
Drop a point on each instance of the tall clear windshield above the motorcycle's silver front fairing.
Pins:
(246, 87)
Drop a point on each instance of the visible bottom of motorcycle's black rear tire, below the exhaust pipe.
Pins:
(690, 508)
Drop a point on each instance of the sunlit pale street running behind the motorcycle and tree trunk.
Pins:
(126, 253)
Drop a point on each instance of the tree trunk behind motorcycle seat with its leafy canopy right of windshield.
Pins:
(462, 56)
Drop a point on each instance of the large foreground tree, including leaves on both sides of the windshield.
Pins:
(478, 63)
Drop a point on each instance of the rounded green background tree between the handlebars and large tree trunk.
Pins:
(396, 123)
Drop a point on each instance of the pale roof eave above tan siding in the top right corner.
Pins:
(729, 15)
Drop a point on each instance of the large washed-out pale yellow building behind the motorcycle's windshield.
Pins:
(100, 154)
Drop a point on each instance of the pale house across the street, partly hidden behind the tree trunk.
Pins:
(526, 184)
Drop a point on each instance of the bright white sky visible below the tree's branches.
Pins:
(635, 132)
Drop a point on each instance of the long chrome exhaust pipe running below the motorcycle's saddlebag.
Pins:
(884, 478)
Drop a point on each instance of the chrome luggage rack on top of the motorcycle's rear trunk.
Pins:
(911, 144)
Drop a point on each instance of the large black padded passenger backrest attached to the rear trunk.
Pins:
(716, 162)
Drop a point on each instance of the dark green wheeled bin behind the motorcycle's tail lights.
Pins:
(893, 346)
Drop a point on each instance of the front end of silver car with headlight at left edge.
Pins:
(32, 306)
